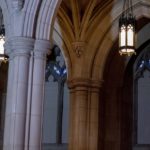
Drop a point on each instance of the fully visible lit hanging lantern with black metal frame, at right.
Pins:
(127, 30)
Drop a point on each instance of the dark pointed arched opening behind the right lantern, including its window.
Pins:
(120, 97)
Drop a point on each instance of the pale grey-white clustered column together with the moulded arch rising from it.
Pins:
(27, 46)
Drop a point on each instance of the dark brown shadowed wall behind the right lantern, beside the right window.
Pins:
(118, 95)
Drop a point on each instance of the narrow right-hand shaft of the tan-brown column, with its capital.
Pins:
(95, 116)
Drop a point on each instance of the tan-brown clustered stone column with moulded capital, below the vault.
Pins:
(84, 112)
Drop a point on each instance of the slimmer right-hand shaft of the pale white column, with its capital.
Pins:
(36, 118)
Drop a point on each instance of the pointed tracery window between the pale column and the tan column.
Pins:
(56, 105)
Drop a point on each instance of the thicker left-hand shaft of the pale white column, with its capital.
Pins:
(14, 132)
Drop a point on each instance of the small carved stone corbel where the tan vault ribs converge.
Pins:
(78, 48)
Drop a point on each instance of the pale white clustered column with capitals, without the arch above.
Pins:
(25, 89)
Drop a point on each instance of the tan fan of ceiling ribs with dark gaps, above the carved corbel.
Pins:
(76, 16)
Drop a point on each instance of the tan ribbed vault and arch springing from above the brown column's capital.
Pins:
(96, 24)
